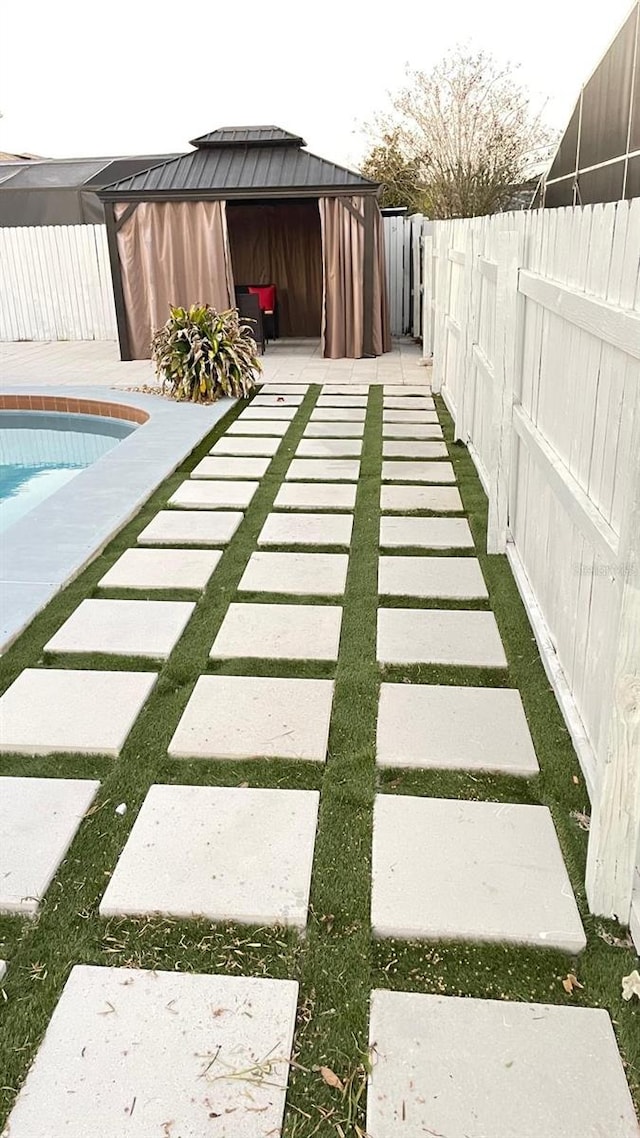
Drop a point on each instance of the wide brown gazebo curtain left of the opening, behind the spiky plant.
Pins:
(173, 253)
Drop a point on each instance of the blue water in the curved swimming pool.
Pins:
(40, 452)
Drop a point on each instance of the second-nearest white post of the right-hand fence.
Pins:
(507, 359)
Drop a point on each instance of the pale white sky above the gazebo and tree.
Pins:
(143, 77)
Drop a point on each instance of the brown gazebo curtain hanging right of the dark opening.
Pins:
(343, 266)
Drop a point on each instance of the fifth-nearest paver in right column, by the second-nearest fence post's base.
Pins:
(452, 579)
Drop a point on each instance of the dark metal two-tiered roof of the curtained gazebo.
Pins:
(241, 162)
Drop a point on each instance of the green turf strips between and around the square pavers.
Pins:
(337, 963)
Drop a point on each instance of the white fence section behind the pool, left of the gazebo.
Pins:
(56, 284)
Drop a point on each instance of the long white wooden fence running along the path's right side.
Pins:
(537, 353)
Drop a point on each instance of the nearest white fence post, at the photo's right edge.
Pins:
(614, 839)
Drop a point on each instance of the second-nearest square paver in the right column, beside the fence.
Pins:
(452, 870)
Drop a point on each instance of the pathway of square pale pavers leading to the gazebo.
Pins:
(162, 1053)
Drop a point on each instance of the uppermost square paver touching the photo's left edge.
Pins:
(60, 711)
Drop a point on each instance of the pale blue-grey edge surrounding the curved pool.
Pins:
(46, 550)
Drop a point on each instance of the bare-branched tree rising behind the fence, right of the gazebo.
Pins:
(469, 130)
